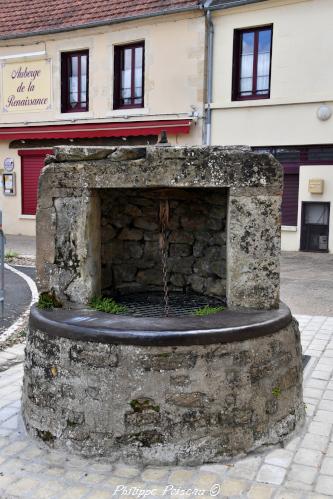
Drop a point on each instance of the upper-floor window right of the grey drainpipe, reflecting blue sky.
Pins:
(252, 63)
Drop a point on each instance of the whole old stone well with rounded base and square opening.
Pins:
(156, 385)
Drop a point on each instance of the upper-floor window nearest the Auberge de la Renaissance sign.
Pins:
(74, 81)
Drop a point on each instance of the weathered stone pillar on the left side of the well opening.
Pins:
(69, 246)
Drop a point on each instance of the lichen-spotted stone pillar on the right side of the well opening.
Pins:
(253, 249)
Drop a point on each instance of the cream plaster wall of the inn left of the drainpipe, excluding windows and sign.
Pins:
(174, 84)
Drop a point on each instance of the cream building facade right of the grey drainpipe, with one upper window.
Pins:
(272, 90)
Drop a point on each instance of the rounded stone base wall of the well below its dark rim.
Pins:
(187, 404)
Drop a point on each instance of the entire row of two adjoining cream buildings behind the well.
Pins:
(223, 72)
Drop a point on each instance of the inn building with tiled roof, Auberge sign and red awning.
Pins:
(81, 75)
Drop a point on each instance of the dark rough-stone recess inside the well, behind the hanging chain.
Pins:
(195, 240)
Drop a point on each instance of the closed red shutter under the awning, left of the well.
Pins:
(32, 163)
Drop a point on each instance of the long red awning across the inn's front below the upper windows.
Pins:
(94, 130)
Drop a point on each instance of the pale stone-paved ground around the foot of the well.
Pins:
(301, 470)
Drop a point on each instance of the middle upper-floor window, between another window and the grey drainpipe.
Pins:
(128, 76)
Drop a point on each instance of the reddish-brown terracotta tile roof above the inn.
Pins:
(21, 17)
